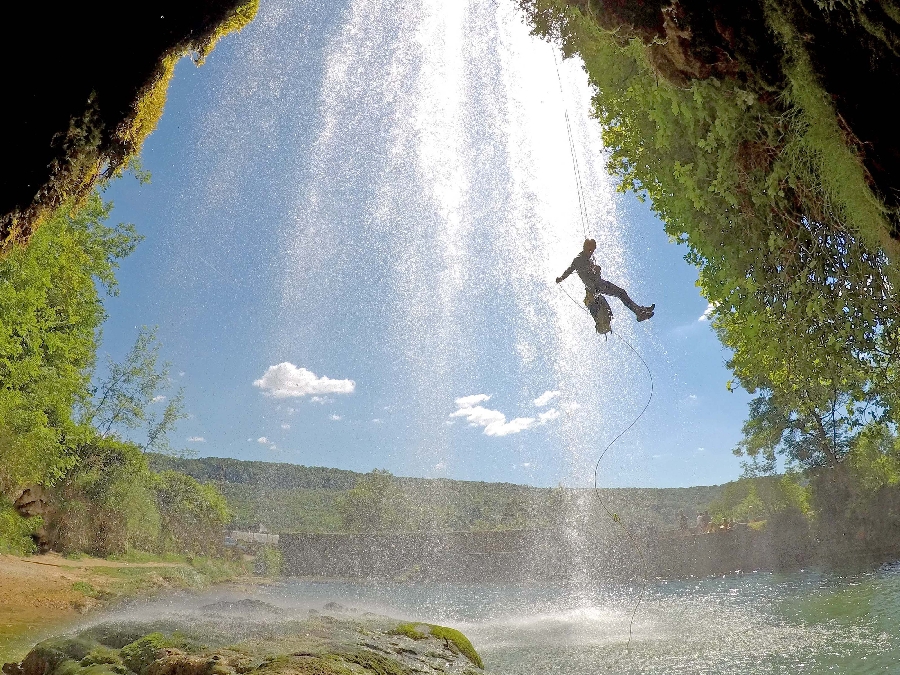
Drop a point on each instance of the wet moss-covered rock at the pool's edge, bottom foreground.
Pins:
(236, 638)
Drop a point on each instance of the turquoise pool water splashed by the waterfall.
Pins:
(757, 623)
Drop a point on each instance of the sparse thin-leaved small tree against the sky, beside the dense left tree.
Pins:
(124, 400)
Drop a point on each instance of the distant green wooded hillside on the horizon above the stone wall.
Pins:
(294, 498)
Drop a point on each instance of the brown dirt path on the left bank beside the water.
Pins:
(45, 593)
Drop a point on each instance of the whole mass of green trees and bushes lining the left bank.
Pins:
(105, 498)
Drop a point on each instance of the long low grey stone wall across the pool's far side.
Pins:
(532, 555)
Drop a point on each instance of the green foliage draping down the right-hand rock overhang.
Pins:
(761, 184)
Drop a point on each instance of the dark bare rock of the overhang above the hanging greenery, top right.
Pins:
(854, 50)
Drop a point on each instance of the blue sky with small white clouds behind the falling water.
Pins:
(352, 230)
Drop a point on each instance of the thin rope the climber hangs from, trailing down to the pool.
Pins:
(605, 328)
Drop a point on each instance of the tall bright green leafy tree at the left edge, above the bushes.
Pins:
(52, 313)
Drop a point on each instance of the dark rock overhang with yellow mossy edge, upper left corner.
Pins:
(84, 84)
